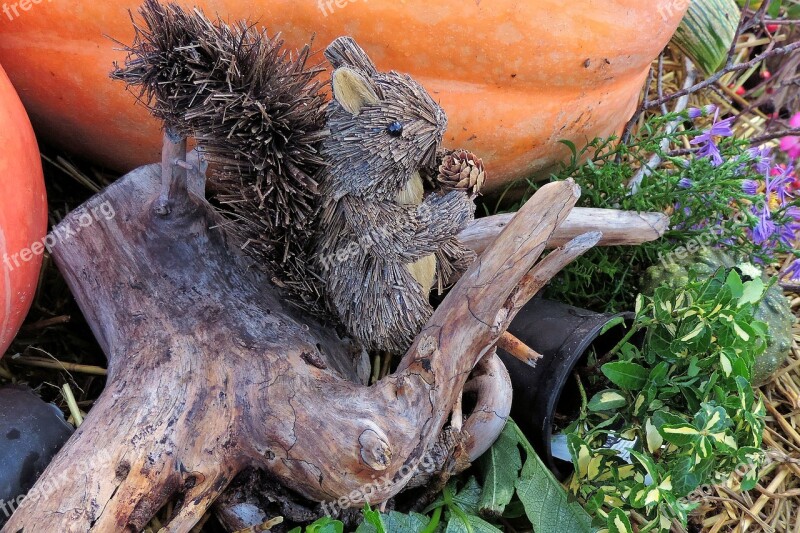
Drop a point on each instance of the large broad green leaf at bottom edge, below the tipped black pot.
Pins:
(546, 503)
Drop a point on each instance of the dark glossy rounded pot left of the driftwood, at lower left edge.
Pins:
(31, 433)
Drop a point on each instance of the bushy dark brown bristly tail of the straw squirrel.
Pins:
(257, 113)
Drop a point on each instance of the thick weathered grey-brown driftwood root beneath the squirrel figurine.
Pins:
(210, 372)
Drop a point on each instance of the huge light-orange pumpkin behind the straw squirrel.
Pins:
(515, 76)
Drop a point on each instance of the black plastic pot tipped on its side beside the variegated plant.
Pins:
(563, 335)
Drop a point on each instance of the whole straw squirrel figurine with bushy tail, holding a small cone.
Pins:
(327, 199)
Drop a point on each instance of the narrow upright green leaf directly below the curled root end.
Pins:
(500, 465)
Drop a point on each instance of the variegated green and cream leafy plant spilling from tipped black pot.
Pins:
(672, 407)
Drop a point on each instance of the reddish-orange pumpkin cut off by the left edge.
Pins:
(23, 213)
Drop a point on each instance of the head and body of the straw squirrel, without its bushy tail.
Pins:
(385, 243)
